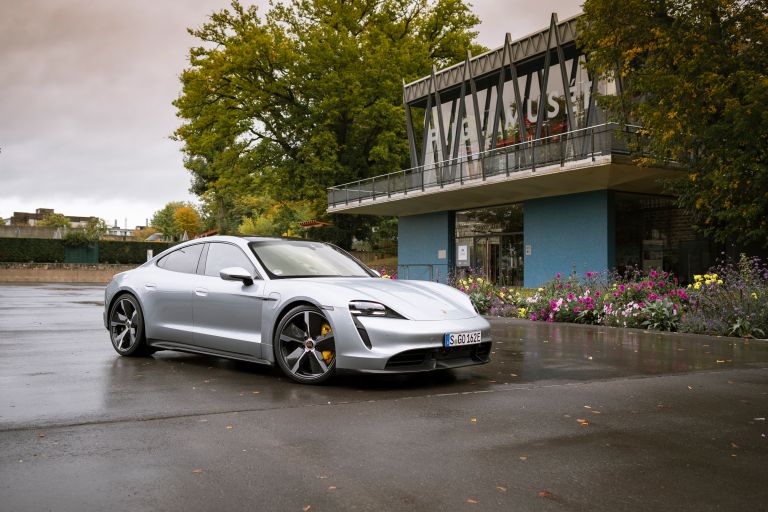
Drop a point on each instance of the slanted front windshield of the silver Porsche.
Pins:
(293, 258)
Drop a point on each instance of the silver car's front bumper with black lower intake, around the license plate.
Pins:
(399, 346)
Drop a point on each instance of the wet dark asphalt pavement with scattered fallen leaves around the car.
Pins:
(564, 418)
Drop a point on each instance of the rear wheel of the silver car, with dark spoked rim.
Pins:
(126, 327)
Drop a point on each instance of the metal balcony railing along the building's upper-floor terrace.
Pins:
(558, 149)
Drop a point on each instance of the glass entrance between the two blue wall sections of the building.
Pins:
(489, 241)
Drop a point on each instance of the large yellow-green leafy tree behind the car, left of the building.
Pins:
(308, 94)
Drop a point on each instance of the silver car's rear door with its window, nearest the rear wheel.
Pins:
(169, 293)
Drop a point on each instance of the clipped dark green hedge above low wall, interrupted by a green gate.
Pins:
(46, 250)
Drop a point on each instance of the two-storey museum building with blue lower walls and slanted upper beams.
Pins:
(515, 171)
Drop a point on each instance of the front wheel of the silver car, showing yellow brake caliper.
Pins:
(305, 349)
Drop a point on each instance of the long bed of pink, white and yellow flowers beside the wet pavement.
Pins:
(731, 300)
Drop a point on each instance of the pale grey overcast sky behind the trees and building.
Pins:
(85, 98)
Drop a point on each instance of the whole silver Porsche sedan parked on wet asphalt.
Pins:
(308, 307)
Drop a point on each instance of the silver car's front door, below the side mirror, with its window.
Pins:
(227, 314)
